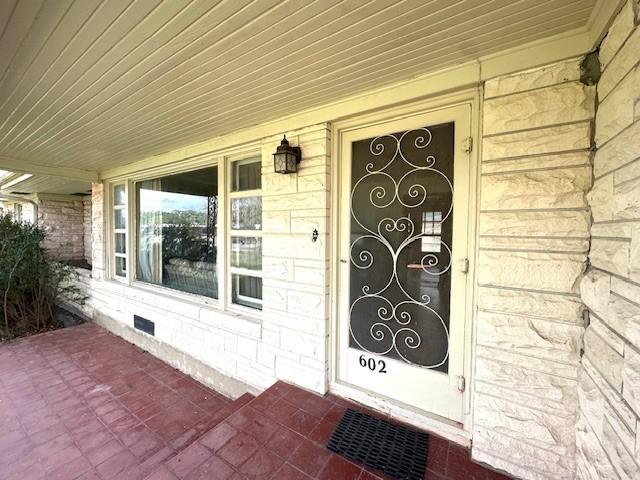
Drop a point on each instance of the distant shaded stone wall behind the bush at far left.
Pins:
(63, 222)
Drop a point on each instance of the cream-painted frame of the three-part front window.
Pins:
(223, 162)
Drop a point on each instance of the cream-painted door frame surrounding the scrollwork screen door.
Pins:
(458, 432)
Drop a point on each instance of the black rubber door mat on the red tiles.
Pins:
(398, 451)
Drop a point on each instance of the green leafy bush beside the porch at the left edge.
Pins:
(31, 284)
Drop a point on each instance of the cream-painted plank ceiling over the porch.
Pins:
(96, 84)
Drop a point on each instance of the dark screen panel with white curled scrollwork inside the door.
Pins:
(400, 254)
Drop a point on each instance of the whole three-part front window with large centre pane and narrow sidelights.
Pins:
(198, 232)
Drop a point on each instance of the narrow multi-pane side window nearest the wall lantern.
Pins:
(245, 263)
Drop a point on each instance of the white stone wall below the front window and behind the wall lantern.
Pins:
(290, 341)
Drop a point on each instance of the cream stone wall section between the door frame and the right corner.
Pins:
(533, 243)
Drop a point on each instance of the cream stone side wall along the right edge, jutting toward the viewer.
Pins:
(608, 433)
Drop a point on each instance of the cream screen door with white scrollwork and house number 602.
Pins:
(404, 238)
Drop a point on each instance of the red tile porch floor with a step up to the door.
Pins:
(81, 403)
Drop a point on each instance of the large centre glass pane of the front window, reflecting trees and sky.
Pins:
(177, 231)
